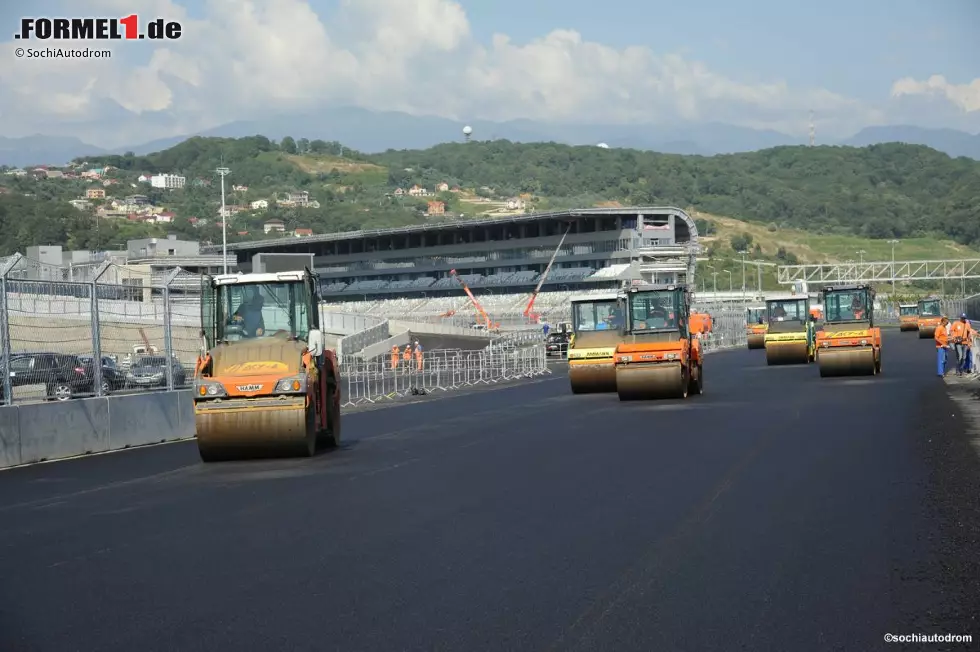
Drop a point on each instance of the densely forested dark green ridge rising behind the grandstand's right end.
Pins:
(881, 191)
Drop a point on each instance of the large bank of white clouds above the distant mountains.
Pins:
(249, 56)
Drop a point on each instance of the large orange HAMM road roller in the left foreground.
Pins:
(265, 385)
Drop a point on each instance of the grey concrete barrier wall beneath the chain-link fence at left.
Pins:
(57, 430)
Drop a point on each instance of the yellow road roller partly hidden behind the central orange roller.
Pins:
(597, 327)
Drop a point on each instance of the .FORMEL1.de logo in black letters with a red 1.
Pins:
(129, 28)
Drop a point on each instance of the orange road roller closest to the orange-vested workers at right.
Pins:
(848, 343)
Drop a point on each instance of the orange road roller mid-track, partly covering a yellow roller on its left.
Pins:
(658, 357)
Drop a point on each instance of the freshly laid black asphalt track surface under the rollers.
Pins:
(779, 511)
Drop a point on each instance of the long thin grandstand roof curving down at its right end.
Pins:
(455, 224)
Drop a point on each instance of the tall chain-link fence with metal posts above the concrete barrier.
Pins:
(109, 329)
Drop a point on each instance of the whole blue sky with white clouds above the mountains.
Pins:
(760, 63)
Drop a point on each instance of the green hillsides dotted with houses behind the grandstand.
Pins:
(801, 203)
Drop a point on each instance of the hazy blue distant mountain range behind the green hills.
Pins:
(371, 132)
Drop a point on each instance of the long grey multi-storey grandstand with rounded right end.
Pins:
(603, 248)
